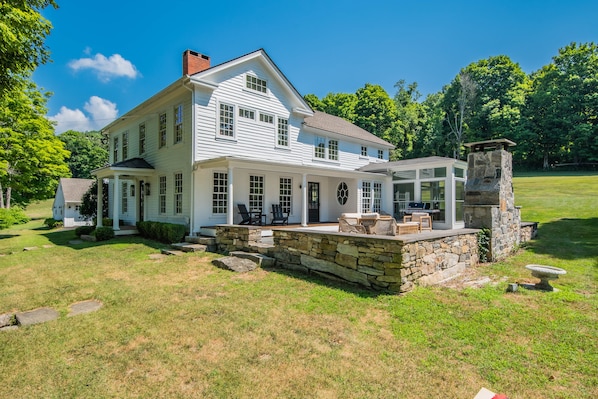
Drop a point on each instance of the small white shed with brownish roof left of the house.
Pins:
(68, 201)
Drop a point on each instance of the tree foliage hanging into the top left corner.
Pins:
(22, 34)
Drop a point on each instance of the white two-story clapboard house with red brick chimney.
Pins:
(238, 132)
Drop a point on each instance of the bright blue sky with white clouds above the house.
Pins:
(108, 56)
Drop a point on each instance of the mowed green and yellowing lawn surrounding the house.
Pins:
(179, 327)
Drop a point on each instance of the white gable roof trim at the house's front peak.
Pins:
(301, 105)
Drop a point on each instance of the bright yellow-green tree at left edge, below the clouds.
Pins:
(32, 158)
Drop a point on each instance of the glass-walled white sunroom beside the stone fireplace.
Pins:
(437, 183)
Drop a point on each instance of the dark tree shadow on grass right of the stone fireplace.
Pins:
(567, 239)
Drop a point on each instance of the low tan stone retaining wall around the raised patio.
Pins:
(382, 263)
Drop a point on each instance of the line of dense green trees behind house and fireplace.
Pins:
(551, 114)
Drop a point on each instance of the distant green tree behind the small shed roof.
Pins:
(88, 150)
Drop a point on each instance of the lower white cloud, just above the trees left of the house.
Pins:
(100, 112)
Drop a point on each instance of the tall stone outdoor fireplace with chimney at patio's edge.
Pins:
(489, 198)
